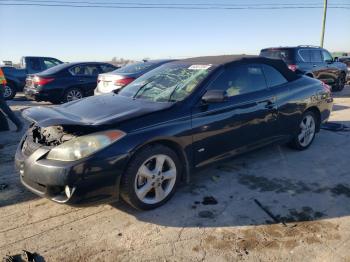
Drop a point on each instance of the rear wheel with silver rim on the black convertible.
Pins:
(300, 141)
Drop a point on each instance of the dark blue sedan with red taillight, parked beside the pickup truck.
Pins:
(66, 82)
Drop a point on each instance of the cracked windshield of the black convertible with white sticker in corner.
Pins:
(168, 83)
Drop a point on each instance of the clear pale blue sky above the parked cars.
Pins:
(84, 34)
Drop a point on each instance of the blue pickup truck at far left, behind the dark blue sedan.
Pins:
(29, 65)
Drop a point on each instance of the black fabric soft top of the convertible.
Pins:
(227, 60)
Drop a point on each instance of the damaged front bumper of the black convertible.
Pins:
(91, 180)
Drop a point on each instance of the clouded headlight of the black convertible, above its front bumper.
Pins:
(84, 146)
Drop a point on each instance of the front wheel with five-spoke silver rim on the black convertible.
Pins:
(146, 185)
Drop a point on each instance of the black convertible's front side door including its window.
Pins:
(246, 119)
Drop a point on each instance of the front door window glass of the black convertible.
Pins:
(239, 80)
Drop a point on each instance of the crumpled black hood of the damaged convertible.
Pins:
(93, 111)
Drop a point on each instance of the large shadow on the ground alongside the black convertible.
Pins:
(293, 186)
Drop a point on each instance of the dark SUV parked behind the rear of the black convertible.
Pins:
(312, 61)
